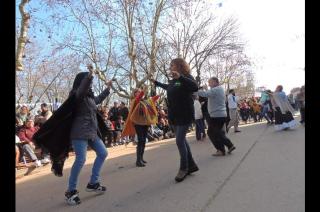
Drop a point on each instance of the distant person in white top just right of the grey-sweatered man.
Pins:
(233, 111)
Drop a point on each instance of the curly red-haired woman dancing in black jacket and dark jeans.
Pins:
(181, 111)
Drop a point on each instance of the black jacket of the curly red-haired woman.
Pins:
(180, 100)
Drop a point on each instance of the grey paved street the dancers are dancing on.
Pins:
(266, 173)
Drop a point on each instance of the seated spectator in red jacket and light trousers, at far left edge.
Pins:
(25, 135)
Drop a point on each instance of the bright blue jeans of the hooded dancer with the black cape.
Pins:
(80, 149)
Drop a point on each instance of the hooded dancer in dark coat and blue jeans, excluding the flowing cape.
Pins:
(83, 132)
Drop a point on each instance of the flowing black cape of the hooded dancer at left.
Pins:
(54, 135)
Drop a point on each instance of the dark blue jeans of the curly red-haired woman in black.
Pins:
(186, 159)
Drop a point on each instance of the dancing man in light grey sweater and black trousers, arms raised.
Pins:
(218, 114)
